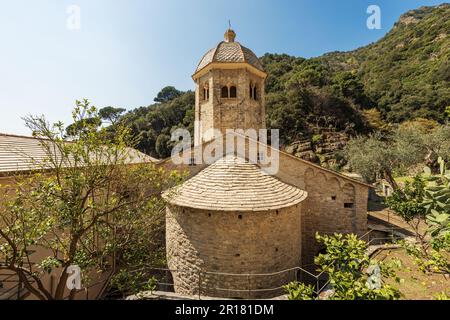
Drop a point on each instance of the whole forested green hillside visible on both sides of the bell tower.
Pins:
(321, 102)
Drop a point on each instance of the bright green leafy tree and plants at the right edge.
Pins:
(425, 205)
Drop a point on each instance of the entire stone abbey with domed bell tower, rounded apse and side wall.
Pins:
(232, 229)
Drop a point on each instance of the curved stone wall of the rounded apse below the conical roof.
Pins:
(201, 244)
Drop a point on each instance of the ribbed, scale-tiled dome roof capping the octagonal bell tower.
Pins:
(229, 52)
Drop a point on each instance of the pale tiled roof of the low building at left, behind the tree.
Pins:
(21, 153)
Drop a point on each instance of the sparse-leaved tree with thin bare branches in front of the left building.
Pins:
(83, 208)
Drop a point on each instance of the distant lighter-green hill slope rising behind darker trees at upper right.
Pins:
(407, 72)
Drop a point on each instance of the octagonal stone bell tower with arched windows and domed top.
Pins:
(229, 90)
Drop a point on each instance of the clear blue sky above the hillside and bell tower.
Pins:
(127, 50)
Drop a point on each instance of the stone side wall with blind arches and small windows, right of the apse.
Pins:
(334, 203)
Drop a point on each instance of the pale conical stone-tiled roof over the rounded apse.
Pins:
(233, 184)
